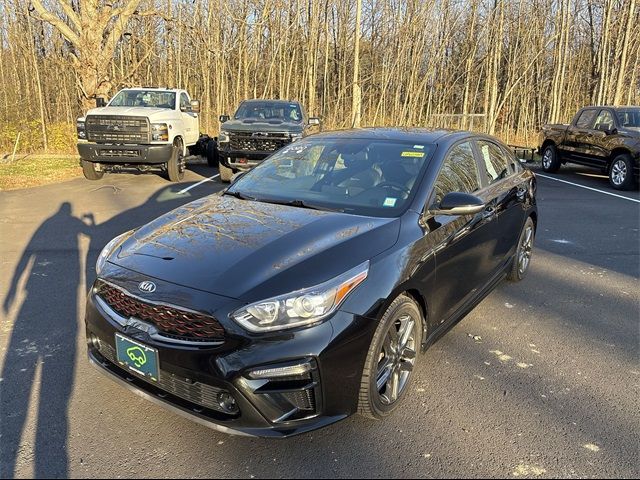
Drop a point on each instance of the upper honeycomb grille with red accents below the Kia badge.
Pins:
(171, 322)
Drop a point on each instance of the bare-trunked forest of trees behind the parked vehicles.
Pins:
(500, 66)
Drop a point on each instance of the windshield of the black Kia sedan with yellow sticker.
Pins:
(360, 176)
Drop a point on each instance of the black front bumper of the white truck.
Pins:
(125, 154)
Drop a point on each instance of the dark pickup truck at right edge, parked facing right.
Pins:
(607, 138)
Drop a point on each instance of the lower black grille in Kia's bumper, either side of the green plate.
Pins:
(194, 392)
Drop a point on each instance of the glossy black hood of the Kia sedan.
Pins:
(251, 250)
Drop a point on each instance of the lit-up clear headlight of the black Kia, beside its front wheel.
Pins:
(303, 307)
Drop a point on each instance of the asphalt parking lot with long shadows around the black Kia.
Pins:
(542, 379)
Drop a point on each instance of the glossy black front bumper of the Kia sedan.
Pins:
(260, 408)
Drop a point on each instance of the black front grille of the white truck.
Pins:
(117, 129)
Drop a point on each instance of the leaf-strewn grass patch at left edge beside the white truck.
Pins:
(32, 171)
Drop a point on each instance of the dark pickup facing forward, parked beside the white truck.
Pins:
(257, 129)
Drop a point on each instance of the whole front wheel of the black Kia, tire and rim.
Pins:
(382, 361)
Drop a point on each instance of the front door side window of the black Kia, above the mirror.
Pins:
(459, 172)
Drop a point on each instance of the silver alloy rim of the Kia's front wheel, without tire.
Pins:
(396, 359)
